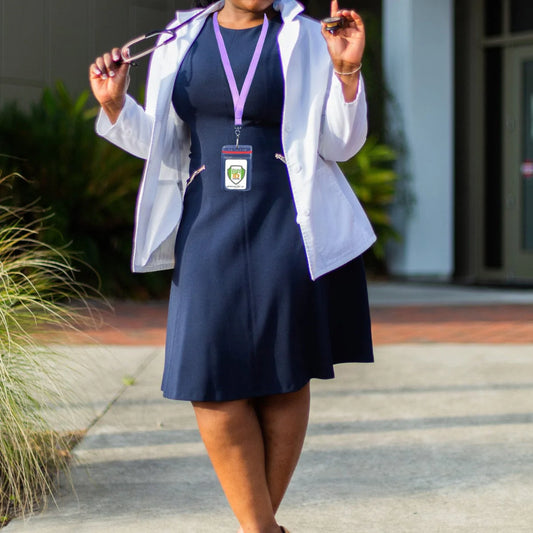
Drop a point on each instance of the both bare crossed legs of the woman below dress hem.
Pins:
(254, 446)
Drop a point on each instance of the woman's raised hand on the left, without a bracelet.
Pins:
(109, 78)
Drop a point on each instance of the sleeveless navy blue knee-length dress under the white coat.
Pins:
(245, 319)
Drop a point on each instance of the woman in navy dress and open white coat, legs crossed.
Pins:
(242, 197)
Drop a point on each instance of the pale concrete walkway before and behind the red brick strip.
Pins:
(434, 437)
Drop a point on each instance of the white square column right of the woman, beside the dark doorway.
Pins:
(418, 60)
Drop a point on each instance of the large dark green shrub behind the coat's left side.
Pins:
(88, 184)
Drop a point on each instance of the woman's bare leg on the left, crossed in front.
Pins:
(234, 441)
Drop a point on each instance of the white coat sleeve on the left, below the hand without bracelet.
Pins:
(132, 131)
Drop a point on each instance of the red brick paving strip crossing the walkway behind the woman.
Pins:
(144, 324)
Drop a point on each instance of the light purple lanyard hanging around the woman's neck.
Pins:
(239, 99)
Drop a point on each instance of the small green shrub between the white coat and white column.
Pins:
(372, 177)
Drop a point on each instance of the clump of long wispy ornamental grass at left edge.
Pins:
(37, 291)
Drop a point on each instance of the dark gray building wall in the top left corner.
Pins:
(42, 41)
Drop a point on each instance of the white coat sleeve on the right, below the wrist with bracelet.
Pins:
(344, 125)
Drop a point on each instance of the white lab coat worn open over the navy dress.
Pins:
(318, 128)
